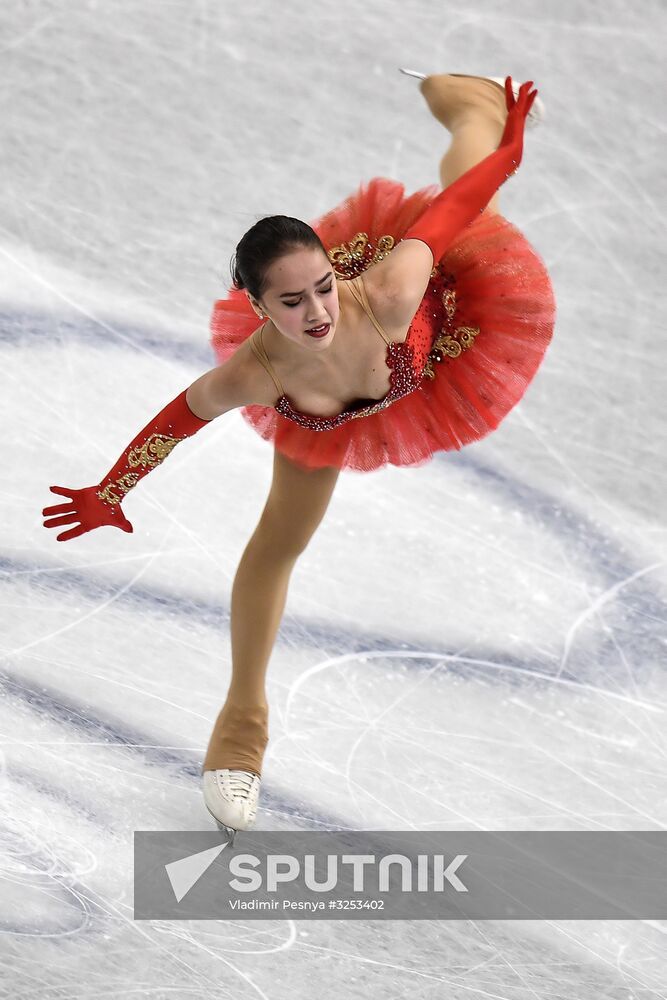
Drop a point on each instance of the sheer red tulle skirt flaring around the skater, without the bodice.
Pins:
(506, 292)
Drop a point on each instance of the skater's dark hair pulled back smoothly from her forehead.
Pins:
(266, 241)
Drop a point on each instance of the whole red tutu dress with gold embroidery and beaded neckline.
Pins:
(473, 346)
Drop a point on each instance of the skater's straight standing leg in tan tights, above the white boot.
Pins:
(295, 507)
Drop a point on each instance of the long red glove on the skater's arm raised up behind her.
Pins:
(458, 204)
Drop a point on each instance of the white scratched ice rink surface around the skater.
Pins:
(478, 643)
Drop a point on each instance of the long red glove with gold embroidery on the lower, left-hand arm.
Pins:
(94, 506)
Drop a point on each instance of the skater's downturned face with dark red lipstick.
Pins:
(300, 294)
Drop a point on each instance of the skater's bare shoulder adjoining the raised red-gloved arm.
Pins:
(396, 284)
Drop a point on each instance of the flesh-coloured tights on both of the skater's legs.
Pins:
(474, 113)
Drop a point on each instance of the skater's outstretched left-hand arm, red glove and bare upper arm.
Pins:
(217, 391)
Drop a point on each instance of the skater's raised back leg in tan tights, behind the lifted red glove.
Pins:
(474, 111)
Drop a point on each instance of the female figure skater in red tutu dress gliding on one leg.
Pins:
(394, 327)
